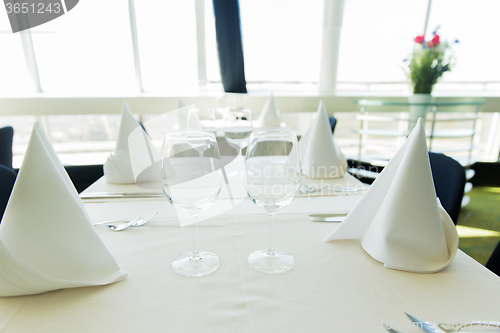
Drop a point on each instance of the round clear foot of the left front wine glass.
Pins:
(204, 264)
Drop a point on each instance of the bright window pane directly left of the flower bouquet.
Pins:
(376, 37)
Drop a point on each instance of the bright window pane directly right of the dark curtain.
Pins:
(281, 40)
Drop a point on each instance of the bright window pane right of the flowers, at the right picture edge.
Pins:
(475, 25)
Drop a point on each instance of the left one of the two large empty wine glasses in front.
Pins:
(191, 180)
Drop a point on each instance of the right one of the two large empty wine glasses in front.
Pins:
(272, 179)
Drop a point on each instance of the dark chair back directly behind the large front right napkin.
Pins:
(449, 182)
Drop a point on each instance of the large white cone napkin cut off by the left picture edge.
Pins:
(47, 241)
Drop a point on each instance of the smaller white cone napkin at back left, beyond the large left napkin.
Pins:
(135, 159)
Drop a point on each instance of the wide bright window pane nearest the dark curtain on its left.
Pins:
(167, 45)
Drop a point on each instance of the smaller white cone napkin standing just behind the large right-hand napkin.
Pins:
(320, 154)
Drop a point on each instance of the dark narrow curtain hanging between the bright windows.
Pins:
(229, 46)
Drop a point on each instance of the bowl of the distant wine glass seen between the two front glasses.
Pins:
(238, 126)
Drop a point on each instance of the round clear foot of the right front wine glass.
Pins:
(271, 263)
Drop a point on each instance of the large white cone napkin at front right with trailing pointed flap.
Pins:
(399, 219)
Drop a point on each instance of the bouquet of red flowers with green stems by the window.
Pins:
(429, 60)
